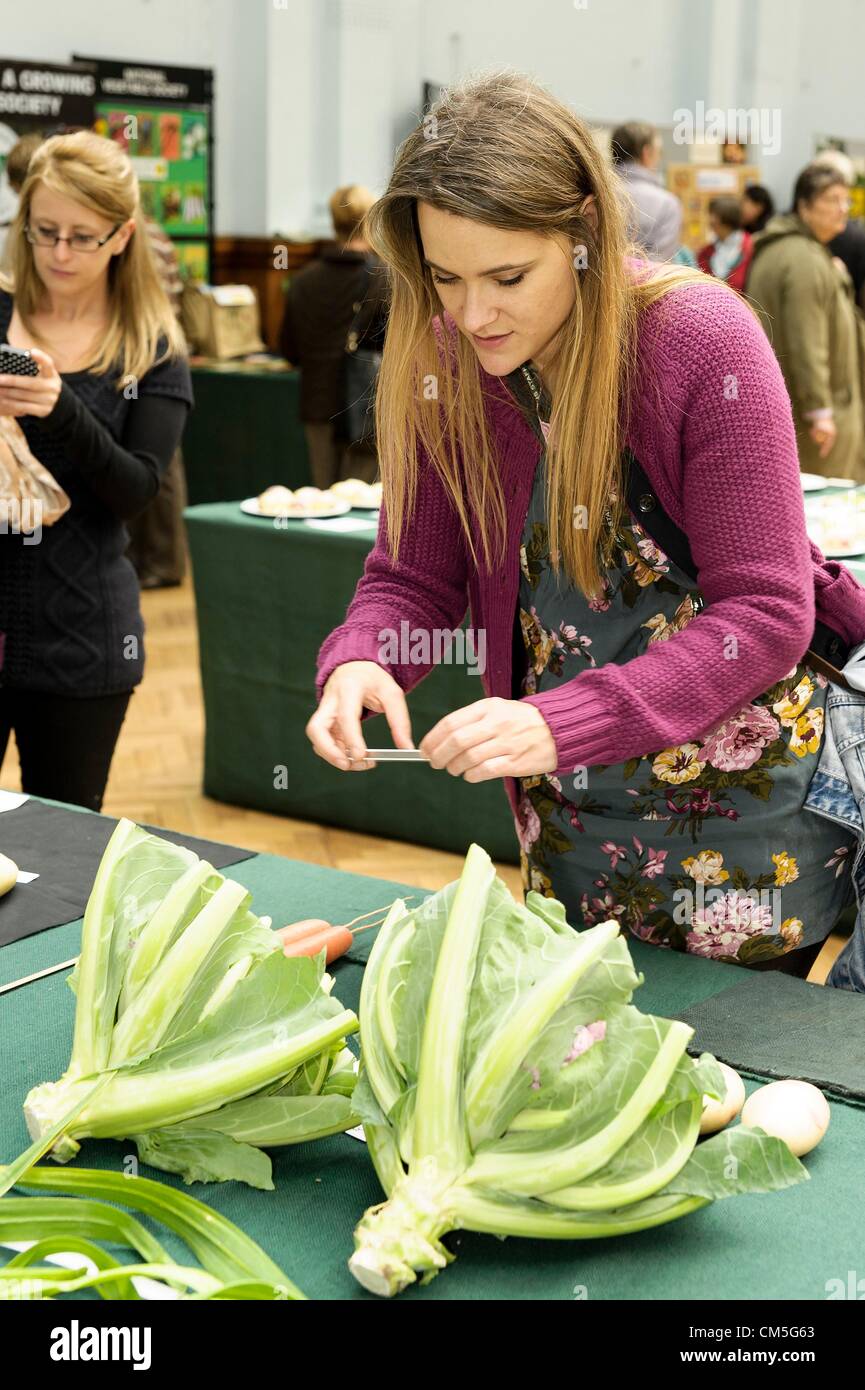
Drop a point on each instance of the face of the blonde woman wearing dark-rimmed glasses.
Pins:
(63, 270)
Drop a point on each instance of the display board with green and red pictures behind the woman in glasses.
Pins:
(163, 119)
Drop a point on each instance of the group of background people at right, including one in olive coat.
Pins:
(802, 270)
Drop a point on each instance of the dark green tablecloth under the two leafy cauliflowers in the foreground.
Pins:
(777, 1246)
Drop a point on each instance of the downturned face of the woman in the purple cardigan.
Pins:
(510, 293)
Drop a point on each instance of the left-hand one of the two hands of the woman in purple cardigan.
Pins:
(334, 730)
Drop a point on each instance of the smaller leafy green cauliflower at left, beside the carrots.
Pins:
(195, 1036)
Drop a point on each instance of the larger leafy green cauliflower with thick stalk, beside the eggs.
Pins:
(508, 1085)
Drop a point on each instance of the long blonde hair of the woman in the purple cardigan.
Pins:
(503, 151)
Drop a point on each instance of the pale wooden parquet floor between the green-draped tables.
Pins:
(156, 776)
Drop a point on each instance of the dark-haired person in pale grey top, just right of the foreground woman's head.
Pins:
(656, 216)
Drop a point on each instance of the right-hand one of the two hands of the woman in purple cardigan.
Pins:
(493, 739)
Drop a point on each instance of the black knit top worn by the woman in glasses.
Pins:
(70, 616)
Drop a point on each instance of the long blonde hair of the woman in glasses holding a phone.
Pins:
(99, 176)
